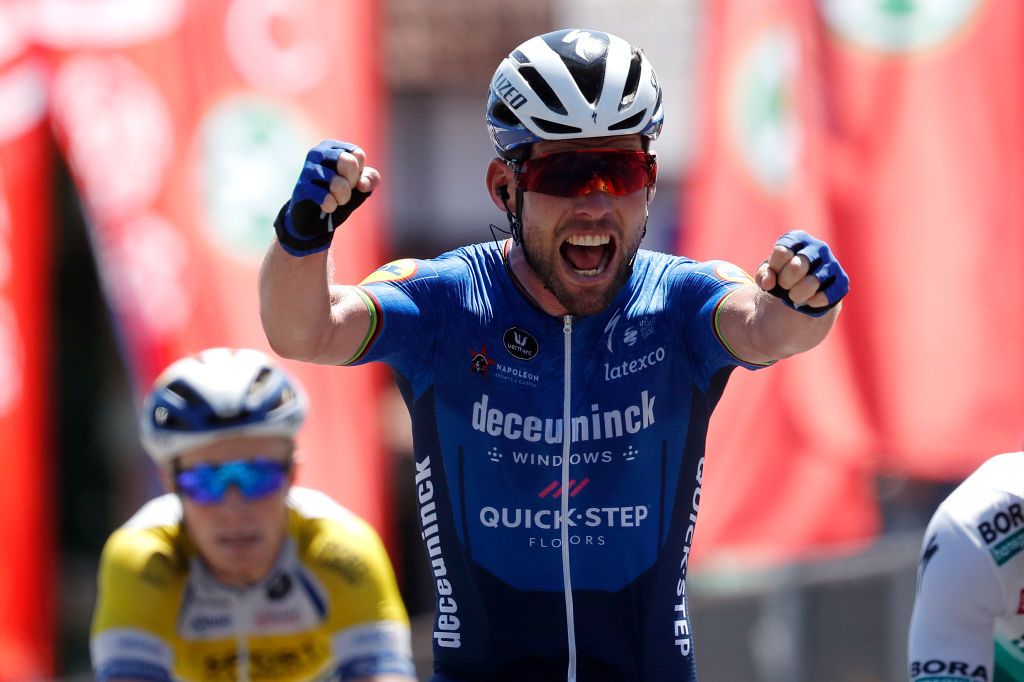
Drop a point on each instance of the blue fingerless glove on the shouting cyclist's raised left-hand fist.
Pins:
(303, 228)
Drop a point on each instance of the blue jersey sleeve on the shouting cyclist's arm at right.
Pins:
(699, 292)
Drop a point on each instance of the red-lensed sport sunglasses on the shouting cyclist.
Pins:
(577, 173)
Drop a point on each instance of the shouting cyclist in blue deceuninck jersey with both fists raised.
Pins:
(561, 382)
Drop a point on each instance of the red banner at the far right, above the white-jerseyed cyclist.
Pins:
(927, 122)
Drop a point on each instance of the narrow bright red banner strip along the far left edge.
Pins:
(27, 525)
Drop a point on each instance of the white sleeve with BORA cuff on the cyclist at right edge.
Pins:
(959, 600)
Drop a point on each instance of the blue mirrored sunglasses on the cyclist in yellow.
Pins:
(207, 484)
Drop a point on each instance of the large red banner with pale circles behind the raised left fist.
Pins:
(185, 145)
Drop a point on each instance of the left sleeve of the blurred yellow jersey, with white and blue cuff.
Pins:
(138, 601)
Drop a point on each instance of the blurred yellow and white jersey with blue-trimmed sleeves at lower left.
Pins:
(329, 610)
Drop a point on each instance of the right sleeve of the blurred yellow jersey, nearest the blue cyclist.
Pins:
(367, 621)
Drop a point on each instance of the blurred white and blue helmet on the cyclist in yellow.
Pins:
(219, 394)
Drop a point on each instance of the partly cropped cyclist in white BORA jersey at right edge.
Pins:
(968, 622)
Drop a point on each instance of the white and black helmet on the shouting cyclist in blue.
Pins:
(571, 84)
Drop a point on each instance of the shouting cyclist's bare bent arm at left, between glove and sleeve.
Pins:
(305, 318)
